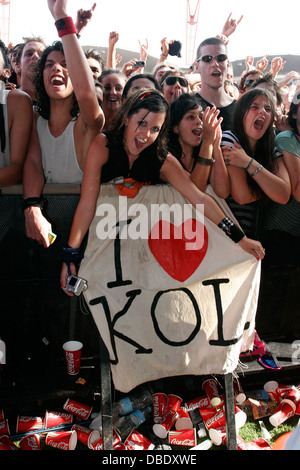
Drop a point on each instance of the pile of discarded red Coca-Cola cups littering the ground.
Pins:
(175, 422)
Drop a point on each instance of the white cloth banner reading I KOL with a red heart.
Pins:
(163, 305)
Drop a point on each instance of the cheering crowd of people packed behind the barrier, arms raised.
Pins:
(68, 116)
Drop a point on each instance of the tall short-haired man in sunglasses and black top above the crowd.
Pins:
(212, 65)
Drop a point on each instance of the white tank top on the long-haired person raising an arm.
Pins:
(59, 157)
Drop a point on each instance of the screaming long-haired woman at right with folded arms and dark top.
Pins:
(256, 168)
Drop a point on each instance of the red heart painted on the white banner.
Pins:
(170, 246)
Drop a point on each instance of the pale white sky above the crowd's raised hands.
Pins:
(267, 27)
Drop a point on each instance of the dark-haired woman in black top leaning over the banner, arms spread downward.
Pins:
(135, 150)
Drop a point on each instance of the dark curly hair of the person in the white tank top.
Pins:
(42, 98)
